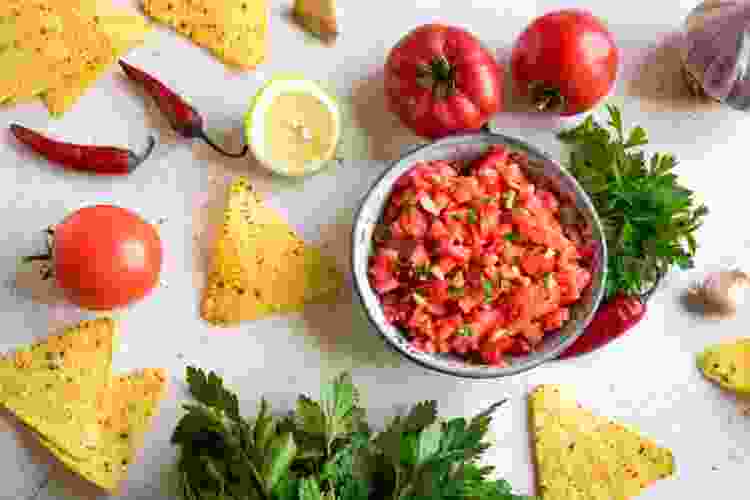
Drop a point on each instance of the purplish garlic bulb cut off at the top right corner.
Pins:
(716, 51)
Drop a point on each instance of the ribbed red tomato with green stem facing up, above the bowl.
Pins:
(440, 80)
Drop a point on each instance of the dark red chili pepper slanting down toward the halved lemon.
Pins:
(184, 119)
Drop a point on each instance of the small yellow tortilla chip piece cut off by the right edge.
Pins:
(728, 364)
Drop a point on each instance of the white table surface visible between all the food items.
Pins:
(647, 379)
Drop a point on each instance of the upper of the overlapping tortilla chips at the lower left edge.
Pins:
(52, 386)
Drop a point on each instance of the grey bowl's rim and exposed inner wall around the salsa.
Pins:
(542, 170)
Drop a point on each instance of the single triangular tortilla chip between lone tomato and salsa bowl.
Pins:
(260, 267)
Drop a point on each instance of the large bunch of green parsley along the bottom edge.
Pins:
(324, 450)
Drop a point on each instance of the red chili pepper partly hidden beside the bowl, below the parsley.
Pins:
(612, 320)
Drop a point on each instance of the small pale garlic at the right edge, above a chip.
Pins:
(721, 293)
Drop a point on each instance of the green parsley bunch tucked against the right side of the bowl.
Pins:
(649, 218)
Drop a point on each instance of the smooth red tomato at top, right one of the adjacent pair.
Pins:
(565, 59)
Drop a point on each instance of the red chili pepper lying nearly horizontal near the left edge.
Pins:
(102, 160)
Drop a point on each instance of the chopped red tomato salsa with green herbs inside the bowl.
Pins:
(473, 259)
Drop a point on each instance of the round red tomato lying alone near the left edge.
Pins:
(106, 257)
